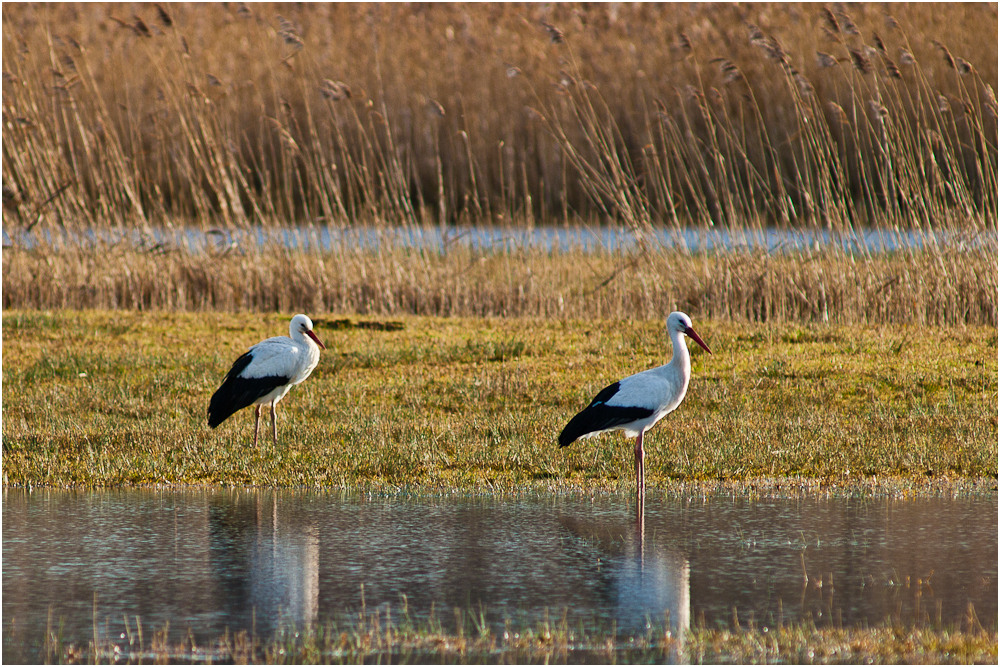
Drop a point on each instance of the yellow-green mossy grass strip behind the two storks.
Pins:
(119, 398)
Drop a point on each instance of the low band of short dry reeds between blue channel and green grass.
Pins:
(936, 287)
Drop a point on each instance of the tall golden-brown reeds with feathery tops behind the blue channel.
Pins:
(755, 114)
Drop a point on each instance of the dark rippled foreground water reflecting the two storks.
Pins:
(203, 561)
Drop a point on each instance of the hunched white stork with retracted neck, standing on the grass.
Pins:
(265, 374)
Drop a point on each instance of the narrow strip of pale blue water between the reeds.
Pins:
(548, 238)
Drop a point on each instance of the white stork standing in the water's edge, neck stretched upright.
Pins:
(636, 403)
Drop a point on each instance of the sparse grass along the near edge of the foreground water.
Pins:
(378, 638)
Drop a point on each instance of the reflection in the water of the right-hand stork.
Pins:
(645, 580)
